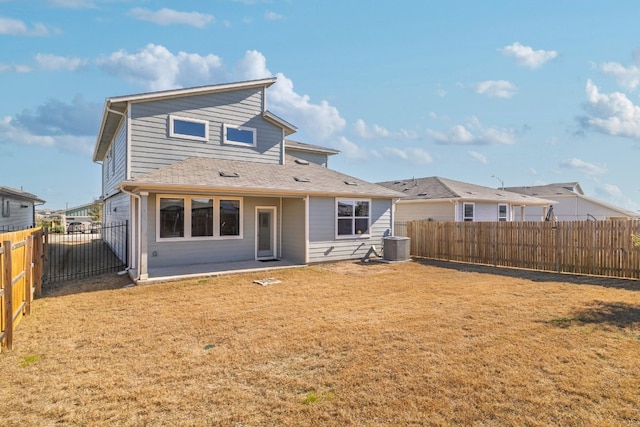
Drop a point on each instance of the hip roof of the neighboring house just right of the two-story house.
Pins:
(437, 188)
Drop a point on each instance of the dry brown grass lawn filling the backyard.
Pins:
(336, 344)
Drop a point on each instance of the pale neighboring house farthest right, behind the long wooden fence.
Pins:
(572, 204)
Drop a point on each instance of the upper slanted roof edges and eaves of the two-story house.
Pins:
(115, 108)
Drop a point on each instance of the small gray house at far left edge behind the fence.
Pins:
(18, 209)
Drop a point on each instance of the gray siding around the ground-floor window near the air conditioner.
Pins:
(323, 246)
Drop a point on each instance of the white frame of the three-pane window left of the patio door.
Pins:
(187, 218)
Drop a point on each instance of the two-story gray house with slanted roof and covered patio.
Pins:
(204, 175)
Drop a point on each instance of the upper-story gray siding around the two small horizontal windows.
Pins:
(152, 148)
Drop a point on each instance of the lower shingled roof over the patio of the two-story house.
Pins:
(294, 177)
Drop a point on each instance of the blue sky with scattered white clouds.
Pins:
(514, 92)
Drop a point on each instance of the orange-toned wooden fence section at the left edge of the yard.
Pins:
(21, 259)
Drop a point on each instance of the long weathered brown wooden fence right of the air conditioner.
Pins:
(603, 248)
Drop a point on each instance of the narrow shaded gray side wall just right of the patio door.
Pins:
(293, 237)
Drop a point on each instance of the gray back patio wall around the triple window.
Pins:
(206, 251)
